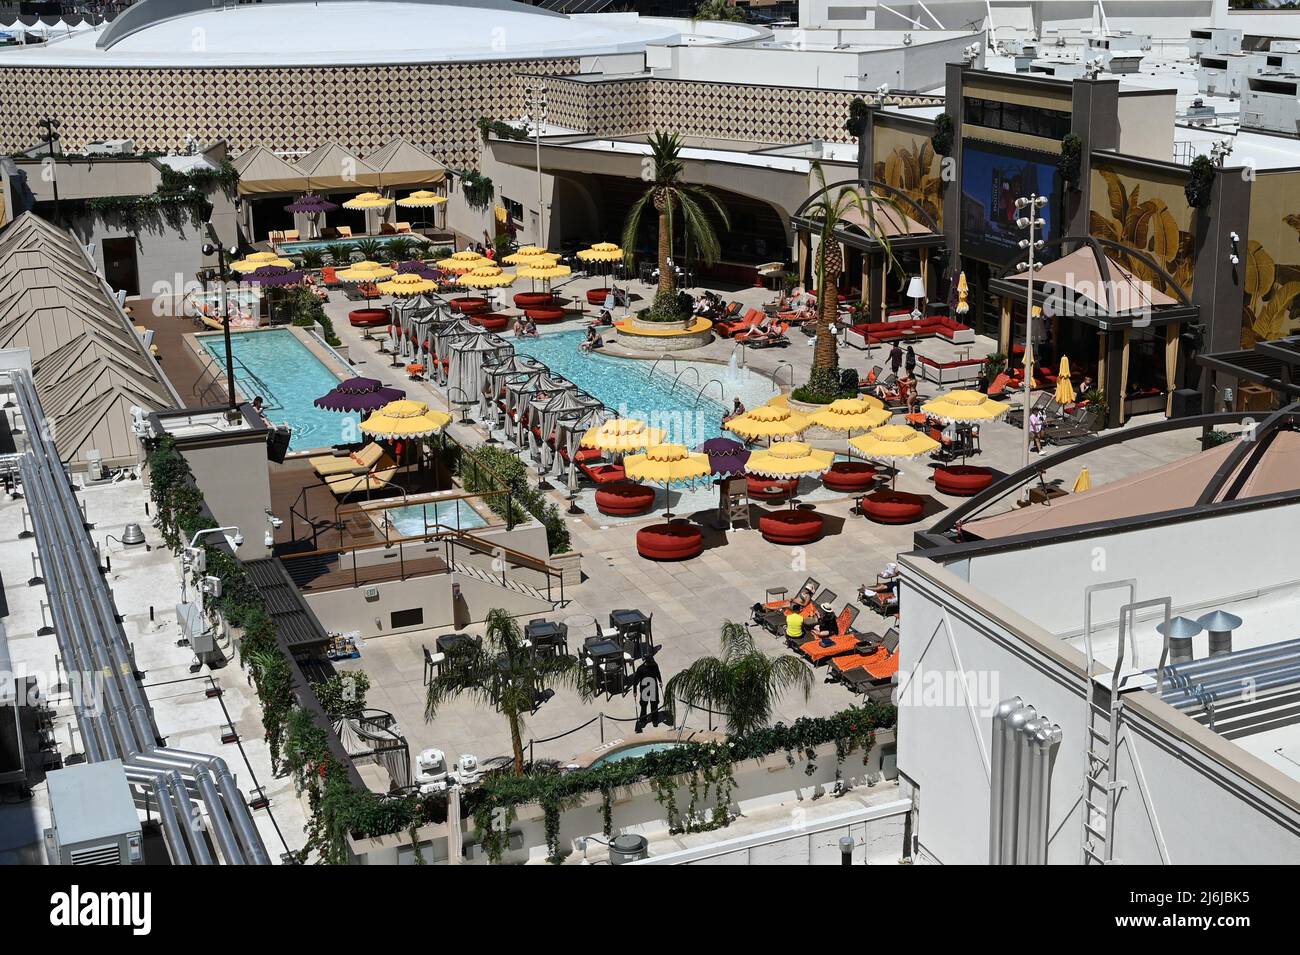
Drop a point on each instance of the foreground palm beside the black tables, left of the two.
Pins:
(502, 672)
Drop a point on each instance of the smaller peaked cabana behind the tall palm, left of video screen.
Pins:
(895, 225)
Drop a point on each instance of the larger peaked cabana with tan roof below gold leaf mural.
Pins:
(1115, 311)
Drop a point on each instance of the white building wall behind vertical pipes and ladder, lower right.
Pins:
(1189, 797)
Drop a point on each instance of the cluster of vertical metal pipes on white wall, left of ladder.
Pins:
(1024, 752)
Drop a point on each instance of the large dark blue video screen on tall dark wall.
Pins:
(994, 177)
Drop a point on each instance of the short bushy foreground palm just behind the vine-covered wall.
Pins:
(744, 683)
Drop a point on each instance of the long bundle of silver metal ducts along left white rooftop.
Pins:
(93, 643)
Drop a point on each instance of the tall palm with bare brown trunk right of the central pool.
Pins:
(831, 210)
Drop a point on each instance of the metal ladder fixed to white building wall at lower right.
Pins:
(1102, 787)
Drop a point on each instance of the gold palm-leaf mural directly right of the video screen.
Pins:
(1146, 215)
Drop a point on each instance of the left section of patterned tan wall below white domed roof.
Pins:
(435, 106)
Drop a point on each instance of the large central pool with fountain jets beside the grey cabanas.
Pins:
(644, 390)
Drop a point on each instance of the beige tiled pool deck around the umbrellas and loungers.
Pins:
(691, 600)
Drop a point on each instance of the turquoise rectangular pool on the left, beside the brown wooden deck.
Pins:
(280, 368)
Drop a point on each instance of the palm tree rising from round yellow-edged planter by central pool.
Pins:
(673, 197)
